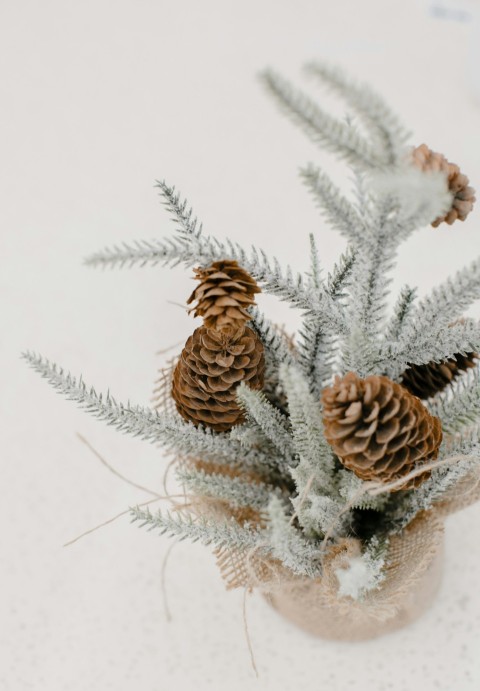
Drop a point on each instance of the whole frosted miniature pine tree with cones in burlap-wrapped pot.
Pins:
(321, 467)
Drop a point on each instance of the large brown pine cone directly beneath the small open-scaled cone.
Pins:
(211, 366)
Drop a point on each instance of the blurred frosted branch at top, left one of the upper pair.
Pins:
(322, 128)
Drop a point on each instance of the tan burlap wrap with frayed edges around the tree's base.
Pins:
(413, 573)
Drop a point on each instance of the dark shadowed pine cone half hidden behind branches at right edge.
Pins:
(427, 380)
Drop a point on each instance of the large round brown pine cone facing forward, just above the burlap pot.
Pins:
(378, 429)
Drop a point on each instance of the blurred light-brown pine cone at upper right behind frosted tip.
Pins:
(463, 195)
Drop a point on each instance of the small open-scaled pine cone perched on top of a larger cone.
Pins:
(223, 296)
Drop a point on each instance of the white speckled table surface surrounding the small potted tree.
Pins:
(99, 98)
